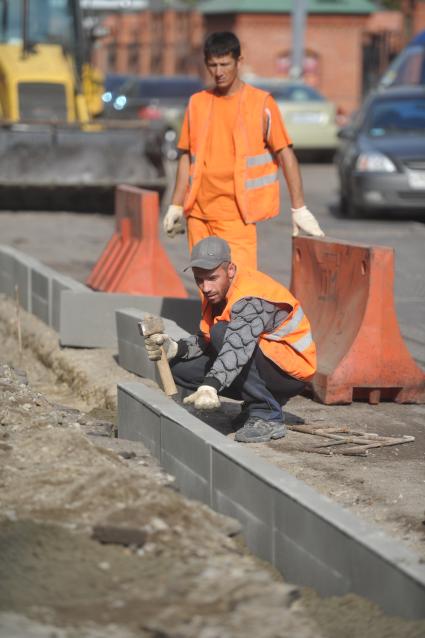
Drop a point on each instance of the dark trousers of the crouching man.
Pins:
(262, 385)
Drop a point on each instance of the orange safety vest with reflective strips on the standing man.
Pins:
(256, 169)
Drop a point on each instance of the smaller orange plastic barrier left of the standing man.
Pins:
(134, 261)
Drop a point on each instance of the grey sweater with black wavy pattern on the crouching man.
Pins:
(250, 317)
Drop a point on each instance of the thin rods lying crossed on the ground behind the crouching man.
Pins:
(343, 436)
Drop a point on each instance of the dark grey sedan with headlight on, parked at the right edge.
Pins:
(381, 160)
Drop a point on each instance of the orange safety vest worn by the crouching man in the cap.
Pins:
(290, 346)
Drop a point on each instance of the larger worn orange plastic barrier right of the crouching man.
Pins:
(346, 291)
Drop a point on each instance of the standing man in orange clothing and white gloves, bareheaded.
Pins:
(232, 143)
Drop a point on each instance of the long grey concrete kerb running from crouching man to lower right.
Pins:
(310, 539)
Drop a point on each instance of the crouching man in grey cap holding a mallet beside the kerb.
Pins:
(254, 345)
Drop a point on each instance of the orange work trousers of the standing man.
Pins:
(241, 237)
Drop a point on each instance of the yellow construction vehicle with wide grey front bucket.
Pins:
(53, 153)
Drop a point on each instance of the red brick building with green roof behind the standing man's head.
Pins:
(333, 41)
